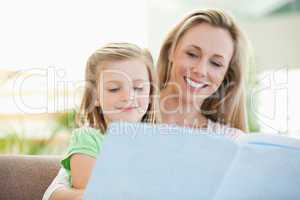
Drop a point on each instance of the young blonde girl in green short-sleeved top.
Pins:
(120, 85)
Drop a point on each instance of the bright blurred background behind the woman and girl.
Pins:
(44, 46)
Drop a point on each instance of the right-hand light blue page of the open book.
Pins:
(263, 170)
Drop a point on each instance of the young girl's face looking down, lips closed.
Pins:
(124, 90)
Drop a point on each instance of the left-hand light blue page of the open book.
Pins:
(141, 161)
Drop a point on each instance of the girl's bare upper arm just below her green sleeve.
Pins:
(81, 169)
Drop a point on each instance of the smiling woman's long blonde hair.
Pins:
(230, 107)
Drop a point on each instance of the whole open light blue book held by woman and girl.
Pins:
(143, 161)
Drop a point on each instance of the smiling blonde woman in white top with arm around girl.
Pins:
(201, 72)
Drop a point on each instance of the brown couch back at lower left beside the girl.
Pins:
(26, 177)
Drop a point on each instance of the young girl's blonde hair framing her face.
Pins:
(91, 114)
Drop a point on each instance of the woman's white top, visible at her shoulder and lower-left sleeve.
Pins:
(61, 180)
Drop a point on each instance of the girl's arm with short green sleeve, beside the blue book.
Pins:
(79, 160)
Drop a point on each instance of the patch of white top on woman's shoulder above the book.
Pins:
(223, 129)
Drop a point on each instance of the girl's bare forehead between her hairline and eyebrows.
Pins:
(132, 69)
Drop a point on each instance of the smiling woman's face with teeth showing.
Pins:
(200, 61)
